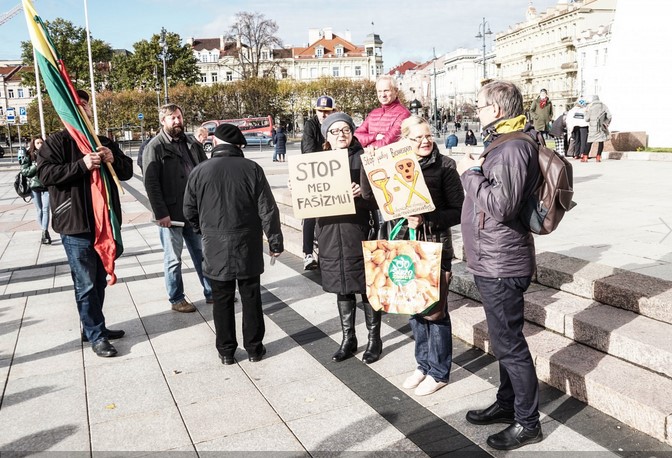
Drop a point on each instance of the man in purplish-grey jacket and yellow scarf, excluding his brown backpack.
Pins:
(500, 253)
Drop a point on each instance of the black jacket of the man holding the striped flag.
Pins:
(60, 167)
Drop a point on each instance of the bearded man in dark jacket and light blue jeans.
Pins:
(168, 159)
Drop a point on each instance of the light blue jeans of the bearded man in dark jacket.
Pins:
(173, 240)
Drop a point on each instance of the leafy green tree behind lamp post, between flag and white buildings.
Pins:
(143, 69)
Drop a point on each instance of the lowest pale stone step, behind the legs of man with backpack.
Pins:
(633, 395)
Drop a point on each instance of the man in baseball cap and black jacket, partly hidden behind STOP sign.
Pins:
(312, 141)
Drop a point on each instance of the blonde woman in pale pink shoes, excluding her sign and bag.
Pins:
(433, 332)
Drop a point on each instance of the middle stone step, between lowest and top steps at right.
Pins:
(637, 339)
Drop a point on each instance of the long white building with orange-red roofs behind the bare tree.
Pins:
(326, 54)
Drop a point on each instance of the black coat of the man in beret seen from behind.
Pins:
(230, 203)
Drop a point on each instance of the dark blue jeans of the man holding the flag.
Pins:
(90, 280)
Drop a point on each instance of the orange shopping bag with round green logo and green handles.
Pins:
(402, 276)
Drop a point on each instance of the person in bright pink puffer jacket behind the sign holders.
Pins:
(383, 125)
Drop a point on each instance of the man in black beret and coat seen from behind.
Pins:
(229, 201)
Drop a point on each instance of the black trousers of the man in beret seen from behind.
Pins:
(223, 313)
